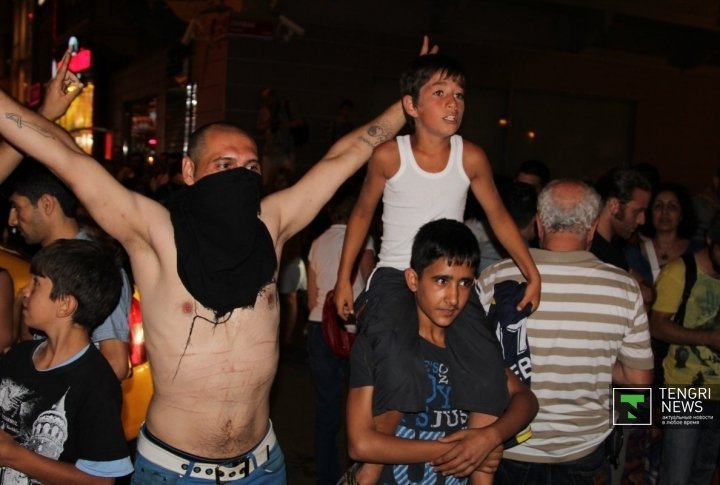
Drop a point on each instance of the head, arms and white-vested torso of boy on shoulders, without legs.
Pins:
(426, 176)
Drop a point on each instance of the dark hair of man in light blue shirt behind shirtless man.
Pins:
(33, 180)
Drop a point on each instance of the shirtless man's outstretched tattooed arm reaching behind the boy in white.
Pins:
(286, 212)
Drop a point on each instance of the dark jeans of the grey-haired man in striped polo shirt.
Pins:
(592, 469)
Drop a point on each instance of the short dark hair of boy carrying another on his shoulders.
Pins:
(447, 239)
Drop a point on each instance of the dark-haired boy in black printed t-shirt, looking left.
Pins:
(59, 398)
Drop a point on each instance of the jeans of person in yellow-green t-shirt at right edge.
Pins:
(689, 455)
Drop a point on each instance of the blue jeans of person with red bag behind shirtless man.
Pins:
(330, 376)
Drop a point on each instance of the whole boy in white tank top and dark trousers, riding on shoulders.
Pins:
(421, 178)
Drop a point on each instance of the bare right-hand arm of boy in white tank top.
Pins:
(478, 169)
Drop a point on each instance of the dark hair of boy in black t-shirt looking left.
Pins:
(85, 270)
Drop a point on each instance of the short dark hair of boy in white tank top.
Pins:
(419, 71)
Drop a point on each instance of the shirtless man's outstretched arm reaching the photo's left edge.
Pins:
(113, 207)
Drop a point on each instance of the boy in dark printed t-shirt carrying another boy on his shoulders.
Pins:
(444, 440)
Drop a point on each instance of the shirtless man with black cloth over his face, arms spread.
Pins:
(213, 348)
